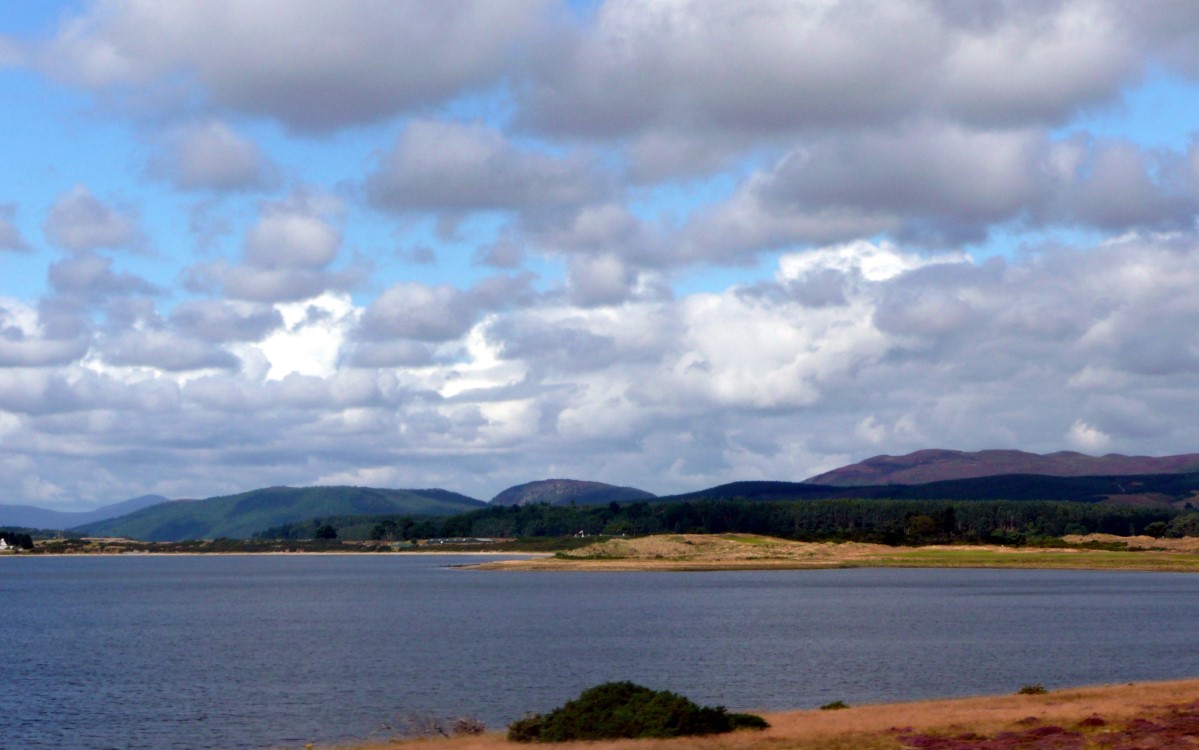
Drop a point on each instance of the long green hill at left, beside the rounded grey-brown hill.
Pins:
(238, 517)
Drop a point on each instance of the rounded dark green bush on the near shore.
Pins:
(625, 711)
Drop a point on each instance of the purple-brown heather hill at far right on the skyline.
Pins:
(925, 467)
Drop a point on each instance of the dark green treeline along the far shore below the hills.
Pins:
(889, 522)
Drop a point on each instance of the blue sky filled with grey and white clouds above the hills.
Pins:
(661, 244)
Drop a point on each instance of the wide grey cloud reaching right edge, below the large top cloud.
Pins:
(947, 186)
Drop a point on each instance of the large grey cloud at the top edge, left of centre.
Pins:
(312, 66)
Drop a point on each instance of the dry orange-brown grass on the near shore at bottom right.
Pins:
(1135, 716)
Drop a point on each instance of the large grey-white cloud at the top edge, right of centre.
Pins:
(772, 68)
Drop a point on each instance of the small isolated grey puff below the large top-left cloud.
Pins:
(209, 156)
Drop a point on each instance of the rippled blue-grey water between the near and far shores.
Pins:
(278, 651)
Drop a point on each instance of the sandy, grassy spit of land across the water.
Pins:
(749, 552)
